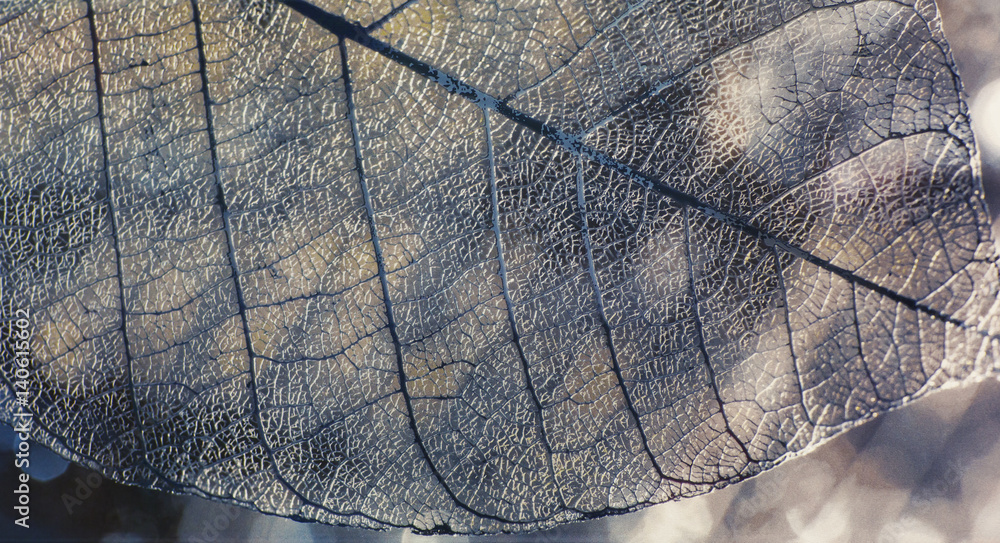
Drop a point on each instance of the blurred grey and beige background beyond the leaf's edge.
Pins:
(927, 473)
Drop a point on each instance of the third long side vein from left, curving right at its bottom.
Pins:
(386, 300)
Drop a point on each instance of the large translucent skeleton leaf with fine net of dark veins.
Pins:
(480, 267)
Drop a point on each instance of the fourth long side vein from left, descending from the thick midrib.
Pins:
(515, 335)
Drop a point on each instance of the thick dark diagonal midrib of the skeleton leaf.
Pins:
(338, 25)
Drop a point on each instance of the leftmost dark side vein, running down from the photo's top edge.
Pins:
(129, 376)
